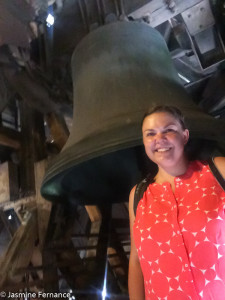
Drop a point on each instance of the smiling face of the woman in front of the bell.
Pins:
(164, 139)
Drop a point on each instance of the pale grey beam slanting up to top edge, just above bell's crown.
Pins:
(159, 12)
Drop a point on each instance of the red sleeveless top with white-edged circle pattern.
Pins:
(180, 237)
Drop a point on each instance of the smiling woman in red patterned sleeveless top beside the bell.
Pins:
(177, 235)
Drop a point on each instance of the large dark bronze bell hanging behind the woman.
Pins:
(119, 71)
